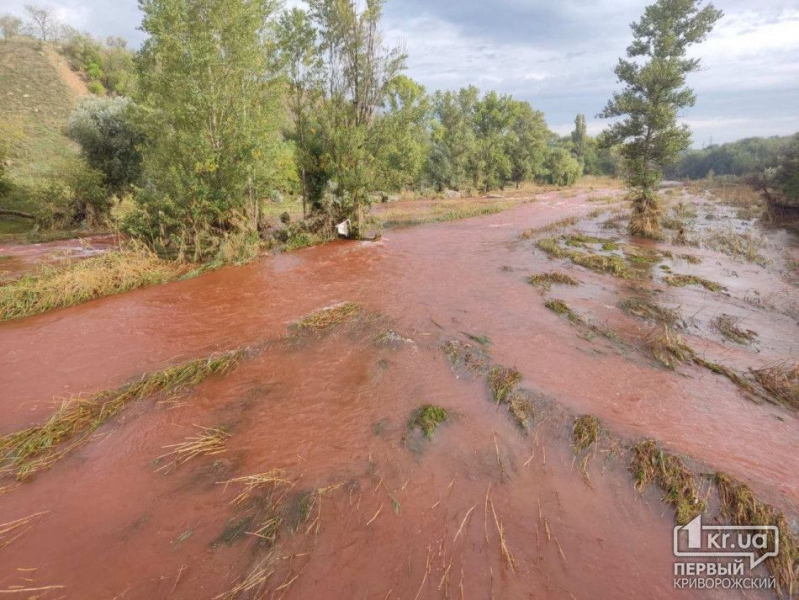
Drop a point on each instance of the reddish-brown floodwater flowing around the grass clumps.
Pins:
(401, 516)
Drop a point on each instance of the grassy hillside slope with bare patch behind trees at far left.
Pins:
(39, 92)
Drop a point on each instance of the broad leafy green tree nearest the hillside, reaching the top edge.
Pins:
(214, 115)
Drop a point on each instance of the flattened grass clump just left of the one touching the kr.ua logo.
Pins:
(651, 464)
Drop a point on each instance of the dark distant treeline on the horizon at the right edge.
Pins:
(740, 158)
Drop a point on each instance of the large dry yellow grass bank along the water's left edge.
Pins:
(111, 273)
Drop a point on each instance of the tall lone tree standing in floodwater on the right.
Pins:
(654, 91)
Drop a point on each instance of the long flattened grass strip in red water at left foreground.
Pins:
(29, 450)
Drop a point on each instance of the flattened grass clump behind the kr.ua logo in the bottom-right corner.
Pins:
(741, 506)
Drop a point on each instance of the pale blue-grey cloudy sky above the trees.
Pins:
(560, 55)
